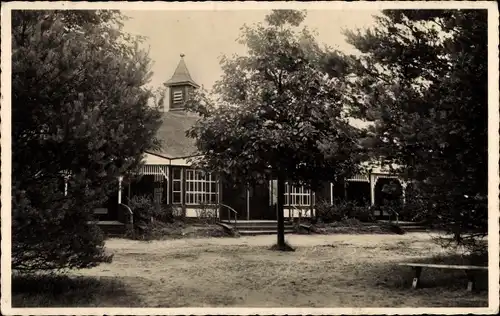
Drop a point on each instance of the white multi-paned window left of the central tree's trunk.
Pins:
(201, 188)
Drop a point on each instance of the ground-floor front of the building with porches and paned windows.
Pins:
(195, 193)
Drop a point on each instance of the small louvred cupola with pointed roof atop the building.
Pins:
(180, 85)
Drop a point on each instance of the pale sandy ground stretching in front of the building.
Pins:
(324, 271)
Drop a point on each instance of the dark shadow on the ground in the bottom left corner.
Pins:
(66, 291)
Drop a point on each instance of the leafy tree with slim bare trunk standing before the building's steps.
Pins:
(277, 115)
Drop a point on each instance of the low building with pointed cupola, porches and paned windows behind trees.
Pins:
(168, 176)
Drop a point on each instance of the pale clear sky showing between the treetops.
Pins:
(203, 36)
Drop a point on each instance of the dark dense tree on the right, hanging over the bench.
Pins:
(423, 78)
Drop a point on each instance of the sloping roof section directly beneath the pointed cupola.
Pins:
(172, 133)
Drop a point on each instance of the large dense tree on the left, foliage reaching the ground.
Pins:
(80, 108)
